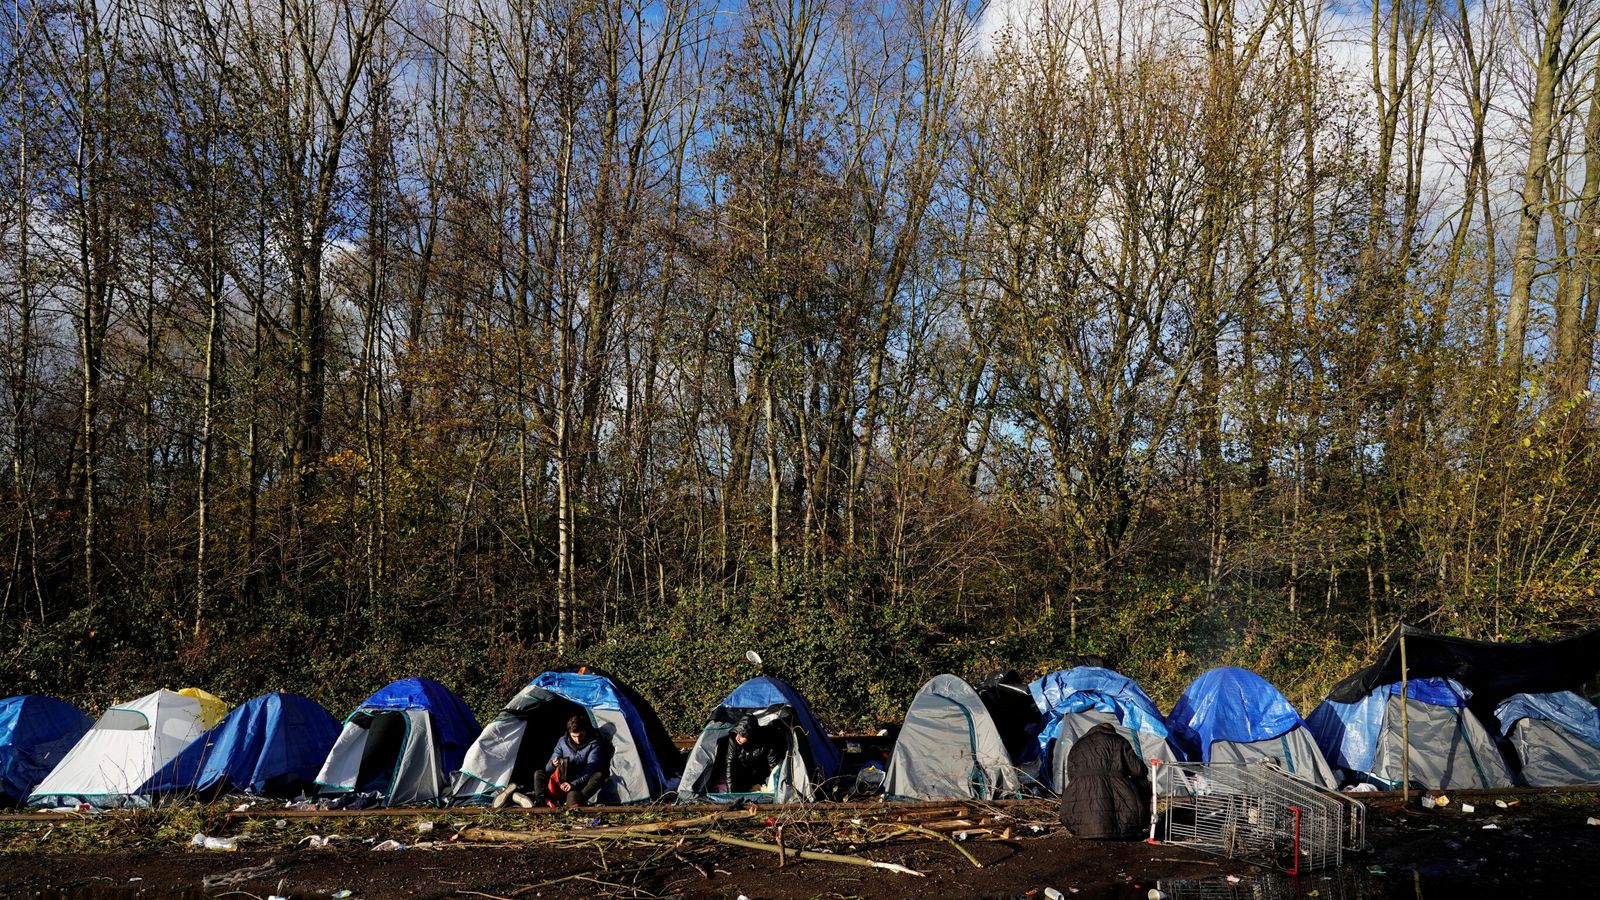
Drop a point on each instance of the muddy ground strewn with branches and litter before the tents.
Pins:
(1540, 848)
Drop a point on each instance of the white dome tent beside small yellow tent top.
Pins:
(124, 749)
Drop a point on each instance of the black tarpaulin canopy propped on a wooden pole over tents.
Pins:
(1494, 672)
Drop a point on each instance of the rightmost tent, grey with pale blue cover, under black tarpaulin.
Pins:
(1556, 737)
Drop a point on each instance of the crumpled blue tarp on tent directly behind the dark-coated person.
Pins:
(1076, 701)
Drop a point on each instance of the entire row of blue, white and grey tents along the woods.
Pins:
(415, 742)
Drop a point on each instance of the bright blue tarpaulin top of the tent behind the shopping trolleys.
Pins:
(1228, 704)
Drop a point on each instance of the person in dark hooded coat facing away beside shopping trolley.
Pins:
(1110, 789)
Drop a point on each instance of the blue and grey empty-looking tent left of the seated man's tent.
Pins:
(402, 744)
